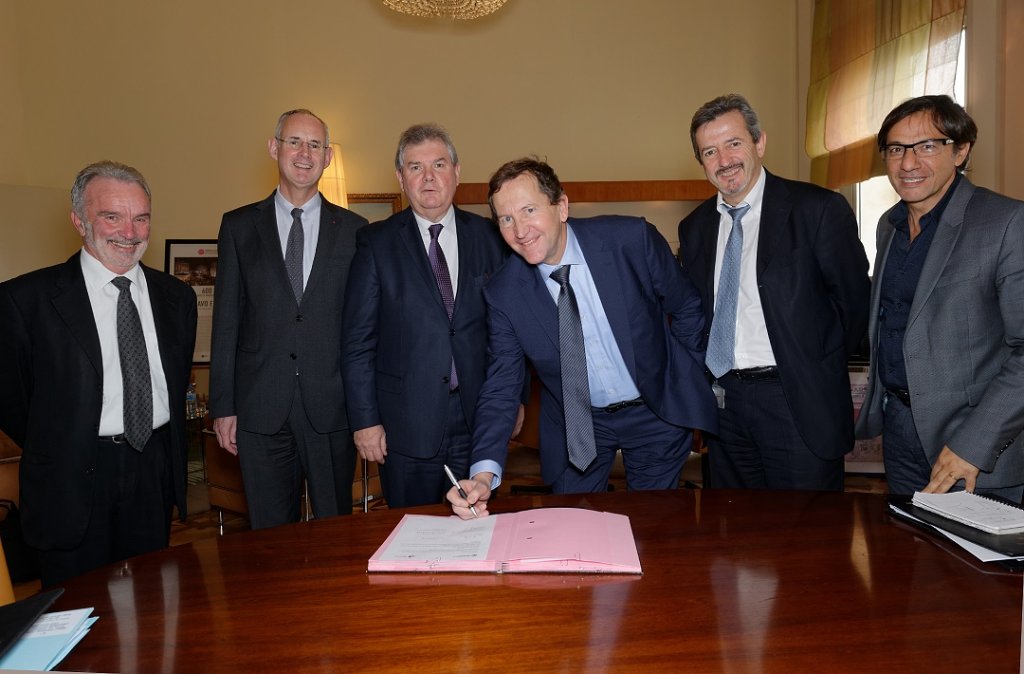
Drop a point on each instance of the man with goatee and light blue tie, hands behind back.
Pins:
(784, 279)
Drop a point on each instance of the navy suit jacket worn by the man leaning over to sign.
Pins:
(654, 312)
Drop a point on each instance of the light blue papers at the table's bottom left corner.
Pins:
(49, 641)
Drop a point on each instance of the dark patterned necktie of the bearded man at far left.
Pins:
(135, 369)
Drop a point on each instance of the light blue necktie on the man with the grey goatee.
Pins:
(722, 343)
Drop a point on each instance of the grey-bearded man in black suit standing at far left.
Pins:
(96, 356)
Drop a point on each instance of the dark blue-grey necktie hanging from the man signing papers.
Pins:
(576, 386)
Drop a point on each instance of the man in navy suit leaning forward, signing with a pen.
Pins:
(613, 328)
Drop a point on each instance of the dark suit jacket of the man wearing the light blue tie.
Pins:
(813, 277)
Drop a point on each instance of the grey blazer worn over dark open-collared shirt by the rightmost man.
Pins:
(964, 346)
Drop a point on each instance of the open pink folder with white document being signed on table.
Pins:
(541, 541)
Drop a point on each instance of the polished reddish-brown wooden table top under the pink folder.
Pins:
(734, 581)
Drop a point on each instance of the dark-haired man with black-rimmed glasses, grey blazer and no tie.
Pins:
(947, 385)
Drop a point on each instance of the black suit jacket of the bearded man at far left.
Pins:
(51, 401)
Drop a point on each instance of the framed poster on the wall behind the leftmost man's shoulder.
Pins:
(195, 262)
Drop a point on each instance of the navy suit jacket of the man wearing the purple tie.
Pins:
(398, 339)
